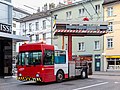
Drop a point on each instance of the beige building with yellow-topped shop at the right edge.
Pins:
(112, 38)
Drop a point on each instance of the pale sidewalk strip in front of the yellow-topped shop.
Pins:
(108, 73)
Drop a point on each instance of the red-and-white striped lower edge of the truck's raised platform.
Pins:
(80, 32)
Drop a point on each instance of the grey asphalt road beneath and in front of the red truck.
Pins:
(94, 82)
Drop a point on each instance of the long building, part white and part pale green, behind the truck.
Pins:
(39, 26)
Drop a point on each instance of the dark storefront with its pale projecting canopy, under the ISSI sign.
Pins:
(6, 56)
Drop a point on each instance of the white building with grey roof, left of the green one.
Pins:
(37, 27)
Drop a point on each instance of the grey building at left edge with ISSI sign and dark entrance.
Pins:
(5, 42)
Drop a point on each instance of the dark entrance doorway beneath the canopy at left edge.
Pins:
(5, 57)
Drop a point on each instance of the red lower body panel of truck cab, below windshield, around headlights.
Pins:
(46, 72)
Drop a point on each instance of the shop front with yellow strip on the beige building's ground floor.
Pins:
(113, 63)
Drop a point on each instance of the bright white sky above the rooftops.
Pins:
(33, 3)
